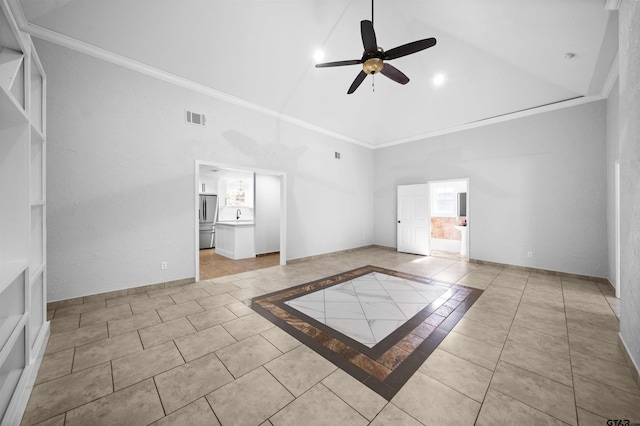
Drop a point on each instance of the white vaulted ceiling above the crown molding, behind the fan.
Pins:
(497, 56)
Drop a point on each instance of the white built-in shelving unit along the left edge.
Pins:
(24, 329)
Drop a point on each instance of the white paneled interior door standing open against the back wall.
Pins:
(413, 219)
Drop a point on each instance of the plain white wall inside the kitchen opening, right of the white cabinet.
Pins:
(267, 231)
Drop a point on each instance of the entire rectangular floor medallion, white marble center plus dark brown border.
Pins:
(376, 324)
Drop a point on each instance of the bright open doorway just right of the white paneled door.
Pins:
(449, 218)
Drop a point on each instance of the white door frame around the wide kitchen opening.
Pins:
(283, 206)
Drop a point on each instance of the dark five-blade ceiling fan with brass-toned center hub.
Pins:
(374, 56)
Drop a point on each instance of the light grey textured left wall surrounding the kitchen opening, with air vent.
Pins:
(120, 174)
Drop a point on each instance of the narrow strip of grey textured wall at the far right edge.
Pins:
(630, 178)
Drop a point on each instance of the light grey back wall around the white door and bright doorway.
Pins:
(535, 184)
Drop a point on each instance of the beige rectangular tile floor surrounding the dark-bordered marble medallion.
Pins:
(533, 349)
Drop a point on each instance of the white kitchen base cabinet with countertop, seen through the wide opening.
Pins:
(235, 240)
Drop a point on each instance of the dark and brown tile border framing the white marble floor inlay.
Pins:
(387, 366)
